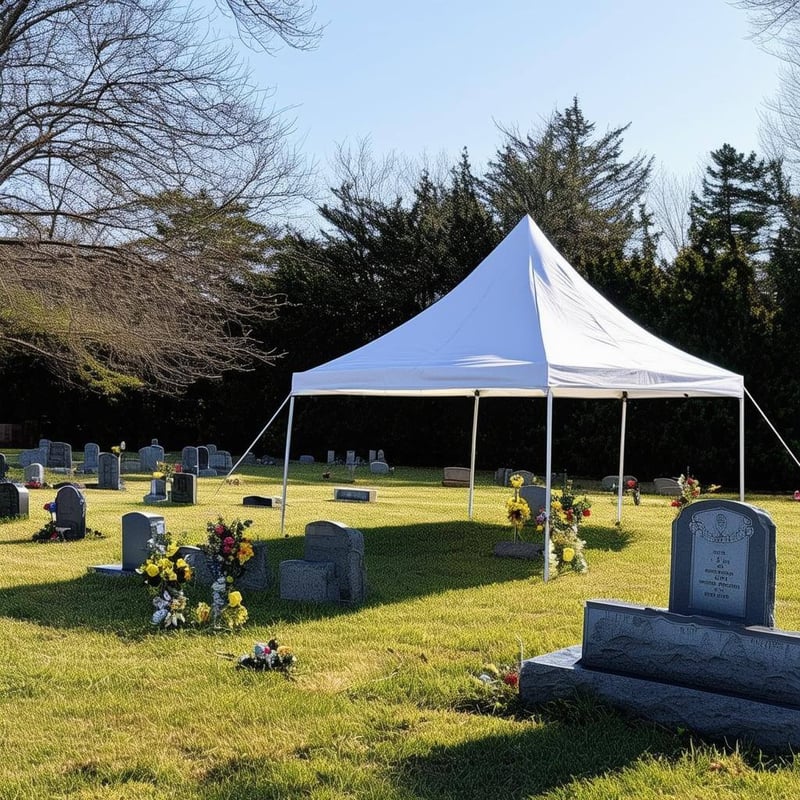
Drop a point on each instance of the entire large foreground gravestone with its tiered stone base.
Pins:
(712, 662)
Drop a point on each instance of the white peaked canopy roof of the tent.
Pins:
(523, 323)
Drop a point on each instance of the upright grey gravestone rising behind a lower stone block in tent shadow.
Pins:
(342, 546)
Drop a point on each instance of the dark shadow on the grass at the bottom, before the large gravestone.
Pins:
(530, 760)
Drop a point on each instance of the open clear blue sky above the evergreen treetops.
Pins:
(427, 77)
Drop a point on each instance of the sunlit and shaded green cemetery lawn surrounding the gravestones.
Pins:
(384, 703)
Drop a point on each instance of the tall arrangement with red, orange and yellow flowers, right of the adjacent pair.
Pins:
(227, 550)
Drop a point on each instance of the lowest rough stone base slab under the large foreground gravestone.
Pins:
(560, 675)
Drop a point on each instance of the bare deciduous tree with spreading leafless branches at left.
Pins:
(105, 105)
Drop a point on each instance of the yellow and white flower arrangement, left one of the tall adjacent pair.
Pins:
(165, 572)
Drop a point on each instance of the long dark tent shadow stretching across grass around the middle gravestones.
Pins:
(402, 562)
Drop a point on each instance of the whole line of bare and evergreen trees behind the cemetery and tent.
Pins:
(151, 288)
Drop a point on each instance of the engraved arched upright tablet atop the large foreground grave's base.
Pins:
(723, 562)
